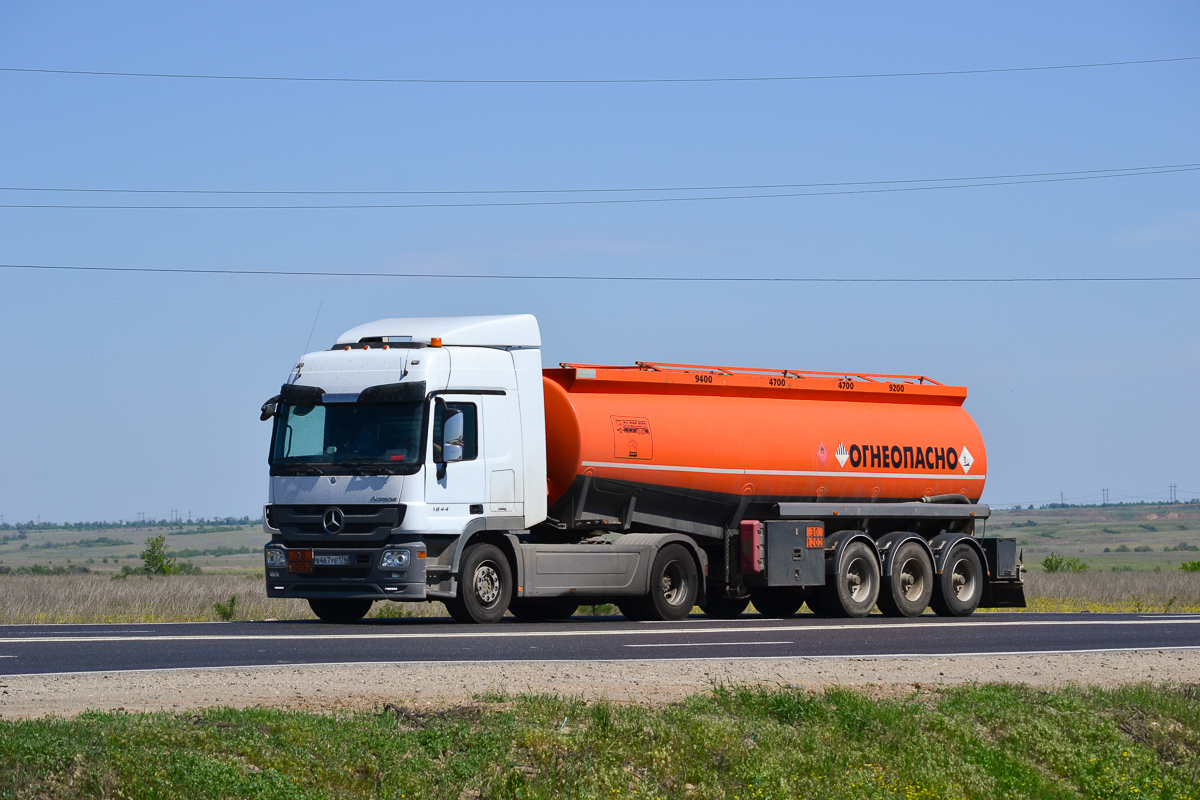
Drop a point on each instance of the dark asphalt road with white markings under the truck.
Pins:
(40, 649)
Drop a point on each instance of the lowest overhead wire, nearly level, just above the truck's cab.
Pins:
(615, 279)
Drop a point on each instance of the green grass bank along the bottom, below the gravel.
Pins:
(968, 742)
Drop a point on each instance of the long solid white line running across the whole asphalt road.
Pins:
(643, 630)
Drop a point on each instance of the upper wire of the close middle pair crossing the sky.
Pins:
(1115, 172)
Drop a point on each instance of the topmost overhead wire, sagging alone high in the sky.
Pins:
(862, 76)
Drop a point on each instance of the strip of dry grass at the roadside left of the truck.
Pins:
(176, 599)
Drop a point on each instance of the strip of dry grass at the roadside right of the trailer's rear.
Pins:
(1171, 591)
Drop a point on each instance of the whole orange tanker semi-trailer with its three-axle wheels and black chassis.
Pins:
(800, 486)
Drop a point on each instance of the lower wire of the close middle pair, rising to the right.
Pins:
(596, 202)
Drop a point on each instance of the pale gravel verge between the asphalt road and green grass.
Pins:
(365, 687)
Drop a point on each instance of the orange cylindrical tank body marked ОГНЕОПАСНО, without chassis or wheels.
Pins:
(688, 448)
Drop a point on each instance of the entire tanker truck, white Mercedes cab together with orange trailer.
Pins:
(435, 460)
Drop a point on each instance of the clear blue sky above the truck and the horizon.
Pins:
(140, 393)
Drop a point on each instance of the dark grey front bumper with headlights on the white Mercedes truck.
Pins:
(361, 578)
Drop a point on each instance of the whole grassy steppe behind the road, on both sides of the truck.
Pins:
(1135, 558)
